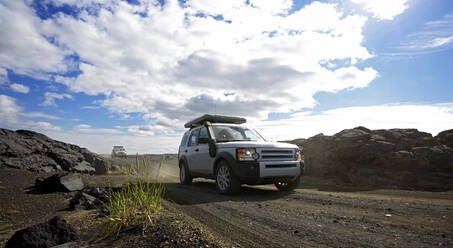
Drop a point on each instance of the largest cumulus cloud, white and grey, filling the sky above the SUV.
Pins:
(161, 60)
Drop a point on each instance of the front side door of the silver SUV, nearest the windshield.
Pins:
(204, 160)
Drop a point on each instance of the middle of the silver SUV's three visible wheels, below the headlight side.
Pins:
(225, 180)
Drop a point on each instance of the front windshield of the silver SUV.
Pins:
(235, 133)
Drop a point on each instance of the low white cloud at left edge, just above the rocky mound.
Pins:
(13, 117)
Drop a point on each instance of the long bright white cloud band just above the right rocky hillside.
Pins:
(429, 118)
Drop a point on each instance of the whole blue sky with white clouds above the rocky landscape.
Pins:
(103, 73)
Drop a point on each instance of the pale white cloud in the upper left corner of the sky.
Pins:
(23, 47)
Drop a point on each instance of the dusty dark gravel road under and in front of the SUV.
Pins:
(318, 216)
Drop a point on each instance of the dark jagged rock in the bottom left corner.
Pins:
(54, 232)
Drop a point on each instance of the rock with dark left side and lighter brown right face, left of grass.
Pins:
(59, 183)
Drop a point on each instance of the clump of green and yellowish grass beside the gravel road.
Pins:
(136, 203)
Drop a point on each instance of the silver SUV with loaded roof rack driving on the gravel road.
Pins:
(222, 148)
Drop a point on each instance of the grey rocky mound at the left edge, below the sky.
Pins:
(29, 150)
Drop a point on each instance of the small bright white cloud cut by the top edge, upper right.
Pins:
(384, 9)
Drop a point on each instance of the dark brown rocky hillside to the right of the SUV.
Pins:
(404, 158)
